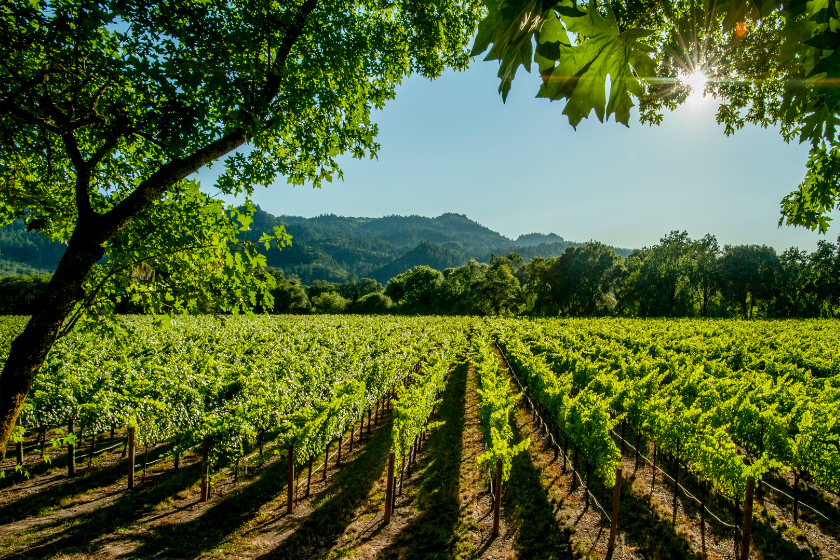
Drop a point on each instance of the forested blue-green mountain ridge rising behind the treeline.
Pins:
(337, 248)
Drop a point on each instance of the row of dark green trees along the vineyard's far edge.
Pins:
(679, 277)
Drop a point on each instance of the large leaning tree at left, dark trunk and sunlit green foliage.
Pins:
(106, 109)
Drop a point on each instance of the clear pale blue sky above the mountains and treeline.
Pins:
(452, 146)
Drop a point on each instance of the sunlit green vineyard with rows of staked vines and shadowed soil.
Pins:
(419, 437)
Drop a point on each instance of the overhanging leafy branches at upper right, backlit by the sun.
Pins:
(768, 62)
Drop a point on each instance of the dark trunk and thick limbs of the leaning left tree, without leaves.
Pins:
(29, 350)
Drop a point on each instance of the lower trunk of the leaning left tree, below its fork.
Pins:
(29, 350)
